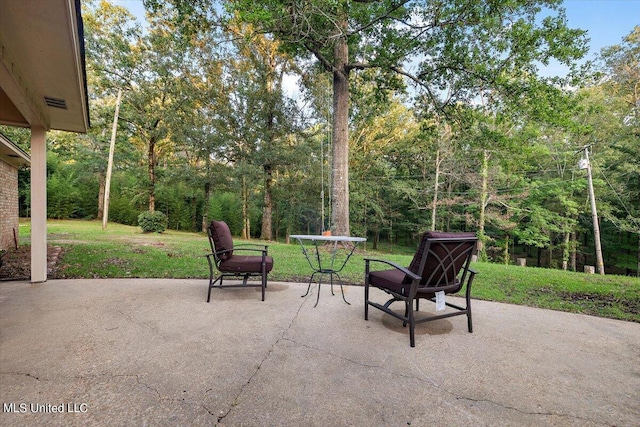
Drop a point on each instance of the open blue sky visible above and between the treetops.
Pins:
(607, 21)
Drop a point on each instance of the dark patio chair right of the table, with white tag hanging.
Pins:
(441, 263)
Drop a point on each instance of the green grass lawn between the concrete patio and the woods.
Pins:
(124, 251)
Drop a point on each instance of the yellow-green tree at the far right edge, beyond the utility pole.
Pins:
(613, 115)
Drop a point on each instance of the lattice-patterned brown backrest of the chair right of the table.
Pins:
(441, 256)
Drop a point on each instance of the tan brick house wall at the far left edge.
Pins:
(8, 205)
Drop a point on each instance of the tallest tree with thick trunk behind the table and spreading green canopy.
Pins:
(455, 47)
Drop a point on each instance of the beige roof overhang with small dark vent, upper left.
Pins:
(42, 69)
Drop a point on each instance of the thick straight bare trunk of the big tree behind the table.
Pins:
(340, 193)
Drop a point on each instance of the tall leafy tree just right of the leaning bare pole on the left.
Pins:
(153, 69)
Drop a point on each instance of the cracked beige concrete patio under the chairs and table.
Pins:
(153, 352)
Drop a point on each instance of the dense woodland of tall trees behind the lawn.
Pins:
(468, 136)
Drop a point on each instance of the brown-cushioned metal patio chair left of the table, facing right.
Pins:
(229, 261)
